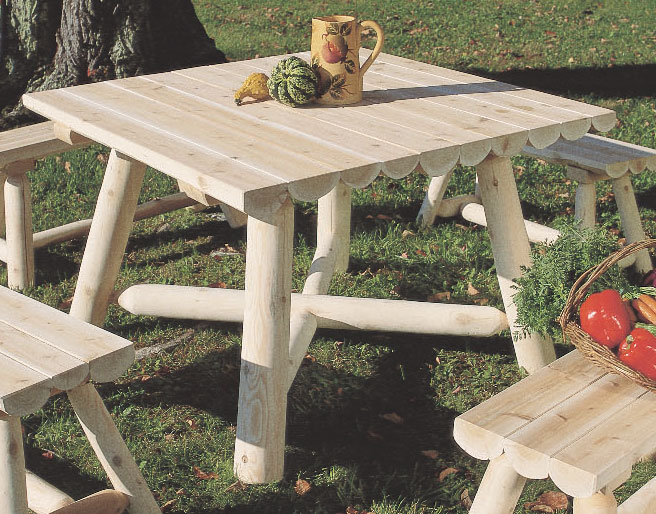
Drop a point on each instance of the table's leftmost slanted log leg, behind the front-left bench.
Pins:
(108, 238)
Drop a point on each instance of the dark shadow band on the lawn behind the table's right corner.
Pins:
(625, 81)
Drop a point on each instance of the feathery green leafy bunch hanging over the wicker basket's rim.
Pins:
(543, 288)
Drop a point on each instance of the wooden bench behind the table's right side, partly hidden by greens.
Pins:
(589, 160)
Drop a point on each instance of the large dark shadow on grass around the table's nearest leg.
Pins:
(376, 426)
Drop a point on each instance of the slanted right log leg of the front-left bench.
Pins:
(111, 450)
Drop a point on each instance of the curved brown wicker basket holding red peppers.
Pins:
(595, 352)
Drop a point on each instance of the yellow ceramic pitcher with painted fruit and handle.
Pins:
(335, 57)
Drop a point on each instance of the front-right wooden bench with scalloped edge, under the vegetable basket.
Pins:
(570, 421)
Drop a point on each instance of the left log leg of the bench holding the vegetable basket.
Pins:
(500, 488)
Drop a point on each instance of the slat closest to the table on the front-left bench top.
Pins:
(108, 355)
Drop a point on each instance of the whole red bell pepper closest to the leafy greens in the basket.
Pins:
(605, 318)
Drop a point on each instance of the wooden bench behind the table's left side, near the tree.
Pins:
(19, 150)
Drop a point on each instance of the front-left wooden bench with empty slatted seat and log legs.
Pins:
(42, 352)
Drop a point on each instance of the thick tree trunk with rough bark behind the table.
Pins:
(54, 43)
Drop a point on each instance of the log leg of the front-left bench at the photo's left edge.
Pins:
(13, 489)
